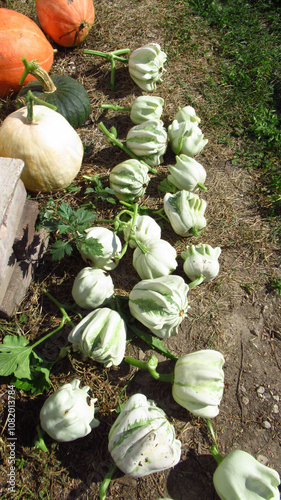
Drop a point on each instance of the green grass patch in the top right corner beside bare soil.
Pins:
(244, 90)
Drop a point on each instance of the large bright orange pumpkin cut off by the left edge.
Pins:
(20, 36)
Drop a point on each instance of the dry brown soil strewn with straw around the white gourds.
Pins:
(236, 314)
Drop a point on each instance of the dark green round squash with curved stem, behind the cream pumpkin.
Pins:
(67, 94)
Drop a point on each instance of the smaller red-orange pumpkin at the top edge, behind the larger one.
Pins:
(67, 22)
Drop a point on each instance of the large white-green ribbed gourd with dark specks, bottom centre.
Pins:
(142, 441)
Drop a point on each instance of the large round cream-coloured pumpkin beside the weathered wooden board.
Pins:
(51, 149)
